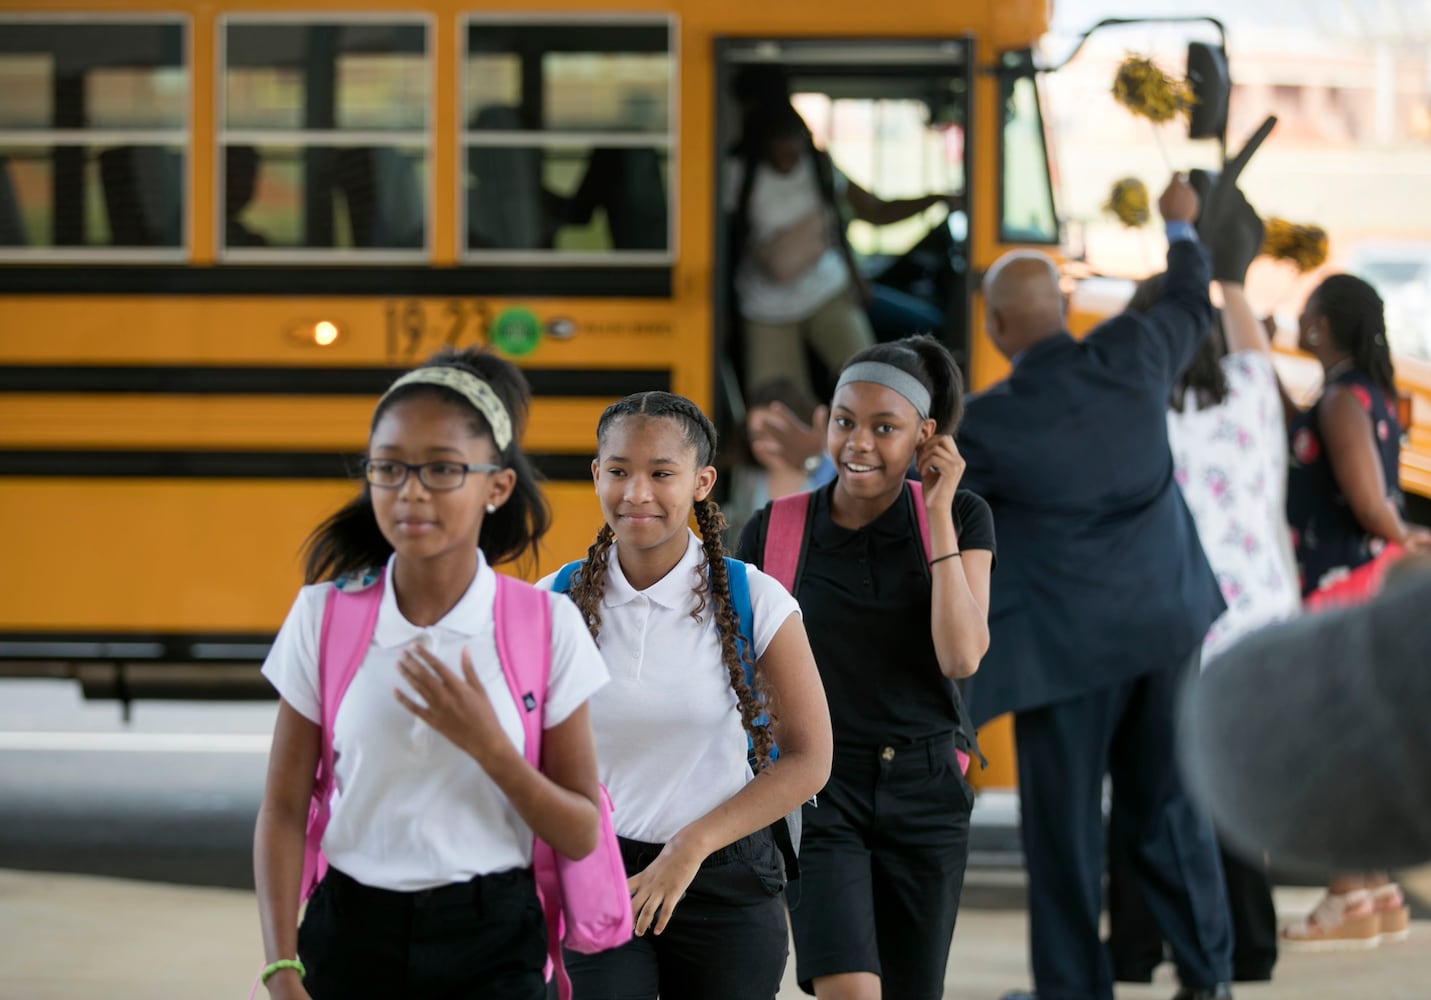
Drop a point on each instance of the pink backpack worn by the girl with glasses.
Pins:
(586, 903)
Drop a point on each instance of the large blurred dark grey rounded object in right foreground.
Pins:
(1313, 739)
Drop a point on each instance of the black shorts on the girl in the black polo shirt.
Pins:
(882, 865)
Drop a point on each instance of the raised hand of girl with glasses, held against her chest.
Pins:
(454, 706)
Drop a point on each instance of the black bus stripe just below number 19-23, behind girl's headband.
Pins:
(301, 381)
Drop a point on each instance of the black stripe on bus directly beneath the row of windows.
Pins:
(303, 280)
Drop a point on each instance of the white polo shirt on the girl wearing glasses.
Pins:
(410, 810)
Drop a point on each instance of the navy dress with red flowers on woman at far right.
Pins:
(1329, 539)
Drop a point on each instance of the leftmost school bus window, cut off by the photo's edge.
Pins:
(94, 139)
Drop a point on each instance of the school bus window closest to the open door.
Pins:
(569, 141)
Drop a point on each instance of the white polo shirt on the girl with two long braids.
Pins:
(670, 743)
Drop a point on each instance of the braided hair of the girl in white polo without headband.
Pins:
(713, 584)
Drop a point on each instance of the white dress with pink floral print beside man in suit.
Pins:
(1231, 466)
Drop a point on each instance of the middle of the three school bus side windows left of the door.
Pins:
(326, 139)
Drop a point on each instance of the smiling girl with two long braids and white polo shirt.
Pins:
(693, 805)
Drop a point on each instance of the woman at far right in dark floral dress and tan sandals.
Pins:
(1346, 507)
